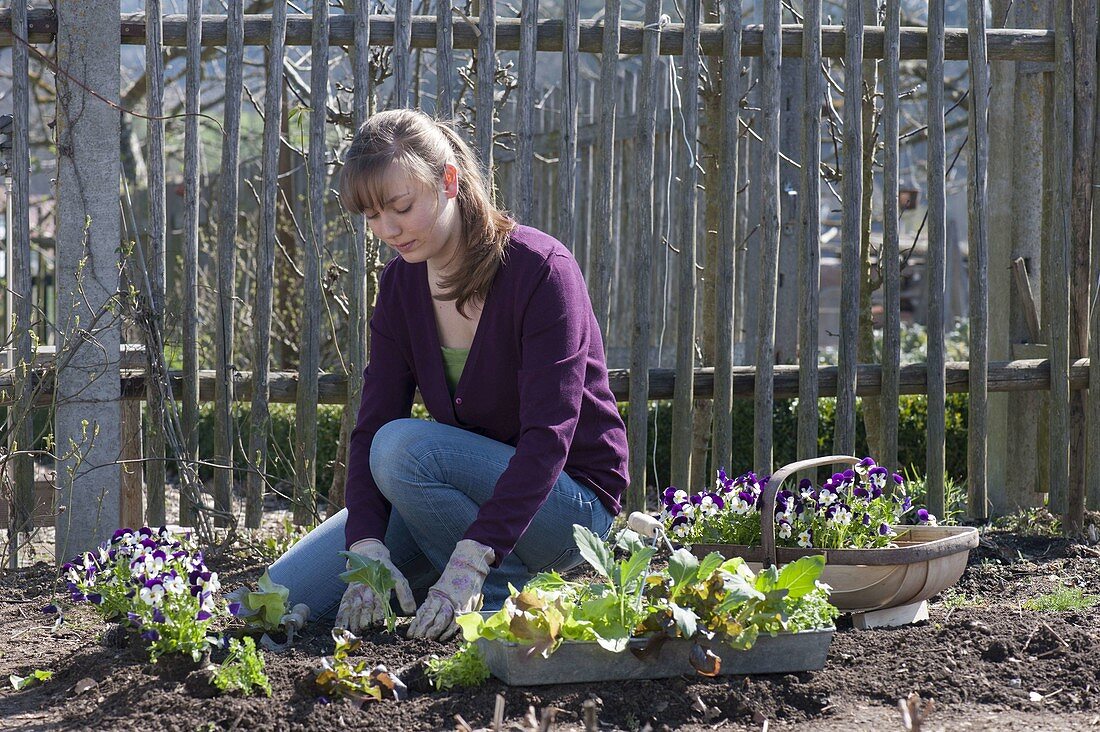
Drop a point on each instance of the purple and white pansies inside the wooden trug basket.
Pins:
(854, 509)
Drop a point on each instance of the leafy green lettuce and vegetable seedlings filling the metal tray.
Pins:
(710, 600)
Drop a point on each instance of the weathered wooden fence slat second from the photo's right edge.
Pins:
(1061, 149)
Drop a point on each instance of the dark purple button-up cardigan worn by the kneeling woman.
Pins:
(536, 379)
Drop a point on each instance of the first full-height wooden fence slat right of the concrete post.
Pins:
(156, 268)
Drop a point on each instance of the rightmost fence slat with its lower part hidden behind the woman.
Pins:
(601, 255)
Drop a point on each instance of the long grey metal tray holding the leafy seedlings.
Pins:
(577, 662)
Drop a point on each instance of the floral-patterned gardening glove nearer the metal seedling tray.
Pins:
(458, 592)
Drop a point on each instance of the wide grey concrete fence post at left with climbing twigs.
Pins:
(86, 421)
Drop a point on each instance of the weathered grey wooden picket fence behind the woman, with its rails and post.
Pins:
(86, 119)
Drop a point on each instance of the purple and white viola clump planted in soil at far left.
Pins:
(155, 581)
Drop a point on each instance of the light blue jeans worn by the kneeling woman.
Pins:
(436, 477)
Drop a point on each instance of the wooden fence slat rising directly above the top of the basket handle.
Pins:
(810, 244)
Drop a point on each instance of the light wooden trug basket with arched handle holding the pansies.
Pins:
(927, 561)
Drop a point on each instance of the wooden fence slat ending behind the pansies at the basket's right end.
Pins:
(892, 254)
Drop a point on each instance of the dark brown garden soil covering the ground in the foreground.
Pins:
(987, 663)
